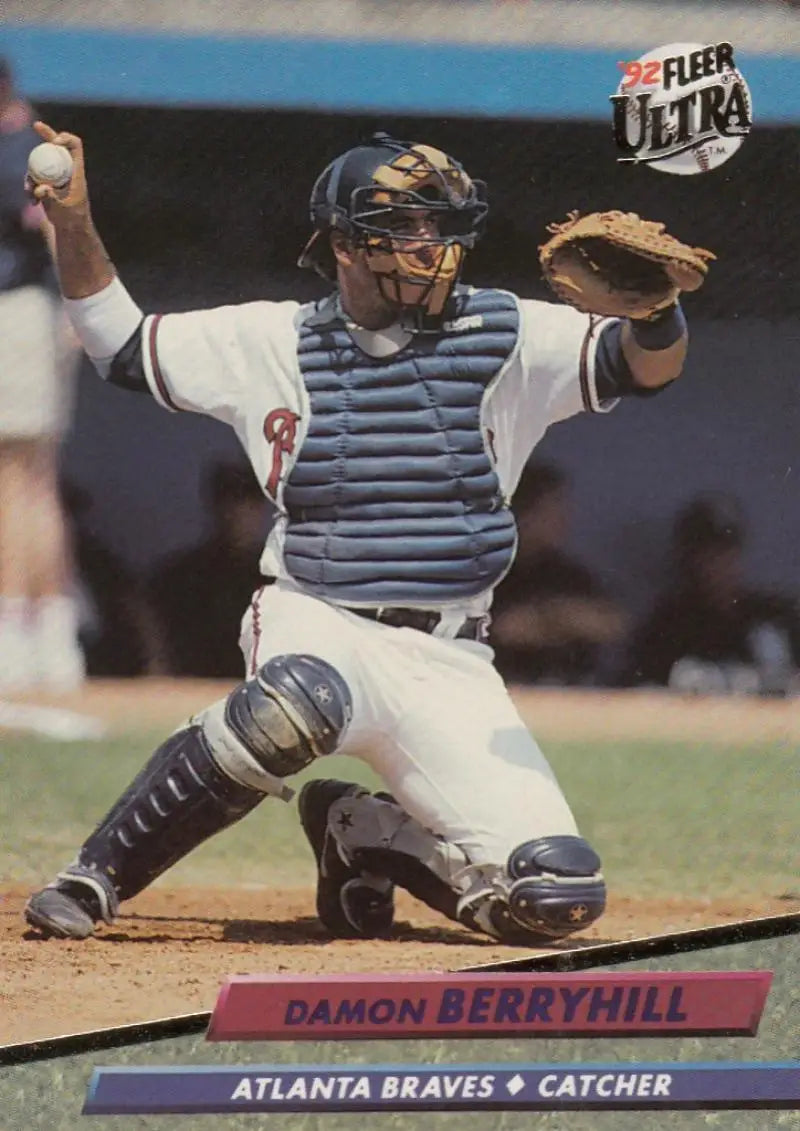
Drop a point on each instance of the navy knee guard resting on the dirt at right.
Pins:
(557, 886)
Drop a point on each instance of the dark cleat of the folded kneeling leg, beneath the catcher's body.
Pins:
(350, 904)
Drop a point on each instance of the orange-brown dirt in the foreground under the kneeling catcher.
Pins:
(173, 949)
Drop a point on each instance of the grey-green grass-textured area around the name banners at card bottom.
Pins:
(48, 1097)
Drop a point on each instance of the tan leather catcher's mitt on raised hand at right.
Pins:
(618, 264)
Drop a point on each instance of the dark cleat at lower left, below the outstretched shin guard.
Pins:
(71, 908)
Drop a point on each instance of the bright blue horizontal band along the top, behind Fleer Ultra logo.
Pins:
(348, 75)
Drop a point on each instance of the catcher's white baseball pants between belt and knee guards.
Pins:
(431, 718)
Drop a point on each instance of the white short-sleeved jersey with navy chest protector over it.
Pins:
(248, 366)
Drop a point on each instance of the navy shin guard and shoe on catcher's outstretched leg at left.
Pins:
(204, 779)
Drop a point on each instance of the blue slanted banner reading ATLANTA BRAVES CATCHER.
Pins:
(452, 1089)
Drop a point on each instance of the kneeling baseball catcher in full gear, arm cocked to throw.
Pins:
(390, 424)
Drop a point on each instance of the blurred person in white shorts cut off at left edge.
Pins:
(39, 642)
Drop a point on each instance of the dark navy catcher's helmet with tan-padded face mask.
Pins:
(368, 192)
